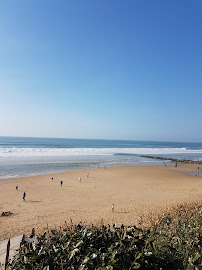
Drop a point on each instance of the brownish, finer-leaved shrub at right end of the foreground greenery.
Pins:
(180, 230)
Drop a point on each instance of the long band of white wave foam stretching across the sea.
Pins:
(65, 152)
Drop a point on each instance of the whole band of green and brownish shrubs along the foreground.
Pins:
(174, 242)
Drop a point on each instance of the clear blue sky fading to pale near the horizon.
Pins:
(104, 69)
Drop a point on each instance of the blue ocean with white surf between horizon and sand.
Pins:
(20, 156)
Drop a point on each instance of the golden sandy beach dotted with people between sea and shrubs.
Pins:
(135, 191)
